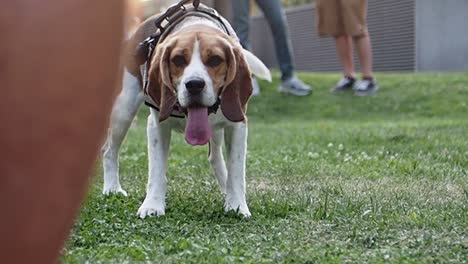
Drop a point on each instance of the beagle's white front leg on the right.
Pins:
(236, 146)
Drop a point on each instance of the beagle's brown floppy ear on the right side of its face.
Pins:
(238, 90)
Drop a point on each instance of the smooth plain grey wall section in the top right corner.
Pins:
(442, 35)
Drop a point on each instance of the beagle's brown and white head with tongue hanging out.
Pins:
(195, 67)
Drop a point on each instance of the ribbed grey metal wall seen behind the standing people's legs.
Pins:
(391, 25)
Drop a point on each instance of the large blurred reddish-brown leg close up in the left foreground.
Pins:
(59, 61)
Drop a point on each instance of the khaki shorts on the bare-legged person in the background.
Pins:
(342, 17)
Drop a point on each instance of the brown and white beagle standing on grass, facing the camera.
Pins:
(197, 67)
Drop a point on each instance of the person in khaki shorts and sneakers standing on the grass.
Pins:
(345, 20)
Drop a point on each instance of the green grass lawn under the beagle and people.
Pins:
(331, 179)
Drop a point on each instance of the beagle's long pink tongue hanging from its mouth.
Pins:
(197, 131)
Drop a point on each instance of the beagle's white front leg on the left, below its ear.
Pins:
(159, 137)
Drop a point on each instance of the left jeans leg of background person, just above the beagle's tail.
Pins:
(241, 16)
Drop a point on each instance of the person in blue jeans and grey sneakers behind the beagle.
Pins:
(273, 11)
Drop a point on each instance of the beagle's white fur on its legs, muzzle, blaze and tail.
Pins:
(230, 176)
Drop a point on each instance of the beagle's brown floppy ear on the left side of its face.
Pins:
(160, 87)
